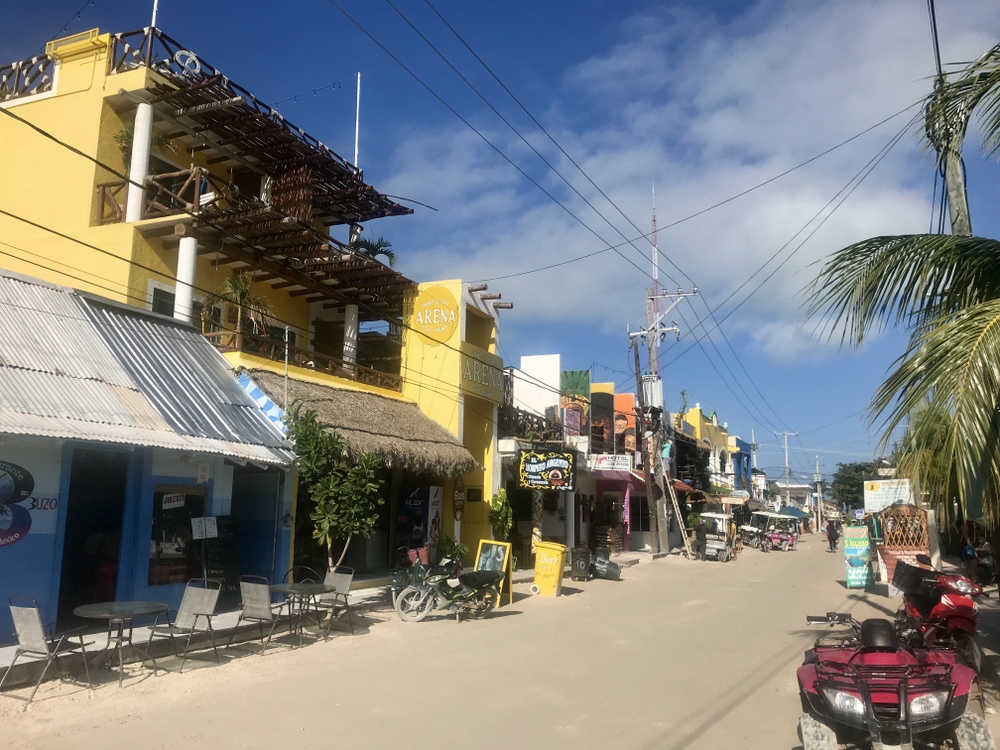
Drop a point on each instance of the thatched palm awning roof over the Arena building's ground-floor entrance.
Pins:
(396, 431)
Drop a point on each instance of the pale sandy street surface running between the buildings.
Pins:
(677, 655)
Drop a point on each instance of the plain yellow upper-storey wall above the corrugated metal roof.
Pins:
(47, 183)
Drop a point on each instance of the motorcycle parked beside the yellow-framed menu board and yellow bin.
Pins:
(476, 593)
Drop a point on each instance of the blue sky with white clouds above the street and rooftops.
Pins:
(706, 99)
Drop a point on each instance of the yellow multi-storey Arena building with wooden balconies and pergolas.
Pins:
(136, 171)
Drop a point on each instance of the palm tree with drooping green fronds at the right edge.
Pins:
(945, 291)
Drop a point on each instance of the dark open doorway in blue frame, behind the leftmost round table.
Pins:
(92, 542)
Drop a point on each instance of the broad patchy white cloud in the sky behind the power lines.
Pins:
(708, 109)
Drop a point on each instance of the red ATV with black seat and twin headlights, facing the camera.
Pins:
(862, 689)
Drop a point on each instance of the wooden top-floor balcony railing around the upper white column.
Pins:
(188, 191)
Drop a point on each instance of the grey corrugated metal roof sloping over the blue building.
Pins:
(75, 367)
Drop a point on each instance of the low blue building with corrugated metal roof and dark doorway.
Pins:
(120, 430)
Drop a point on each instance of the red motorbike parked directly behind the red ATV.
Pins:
(937, 607)
